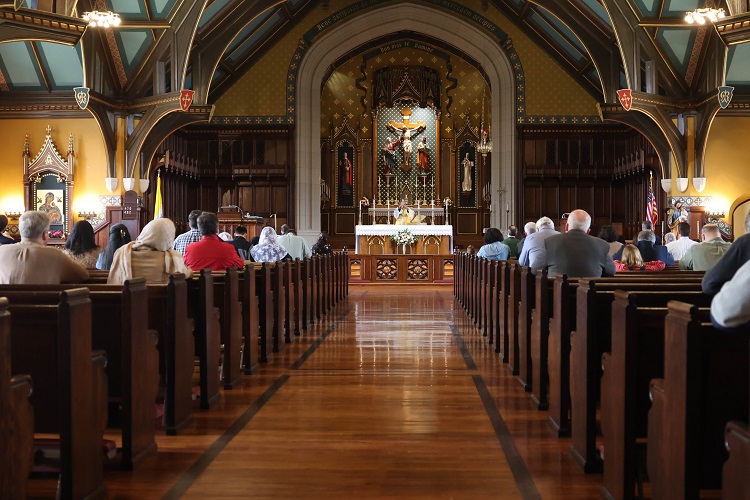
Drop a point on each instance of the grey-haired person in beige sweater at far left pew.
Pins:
(32, 261)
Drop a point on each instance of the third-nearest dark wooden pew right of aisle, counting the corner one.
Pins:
(637, 356)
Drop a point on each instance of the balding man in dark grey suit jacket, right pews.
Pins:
(575, 252)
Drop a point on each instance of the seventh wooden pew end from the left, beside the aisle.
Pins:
(248, 290)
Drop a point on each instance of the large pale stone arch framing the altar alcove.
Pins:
(483, 41)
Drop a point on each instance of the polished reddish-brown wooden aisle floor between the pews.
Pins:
(394, 394)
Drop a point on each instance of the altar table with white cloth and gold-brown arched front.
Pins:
(376, 239)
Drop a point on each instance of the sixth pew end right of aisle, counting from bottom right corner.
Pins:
(540, 319)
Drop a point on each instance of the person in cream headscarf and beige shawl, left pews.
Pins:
(150, 256)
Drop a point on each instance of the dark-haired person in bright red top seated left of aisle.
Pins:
(211, 251)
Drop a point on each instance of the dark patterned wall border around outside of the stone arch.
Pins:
(473, 17)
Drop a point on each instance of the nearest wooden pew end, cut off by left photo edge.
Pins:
(16, 419)
